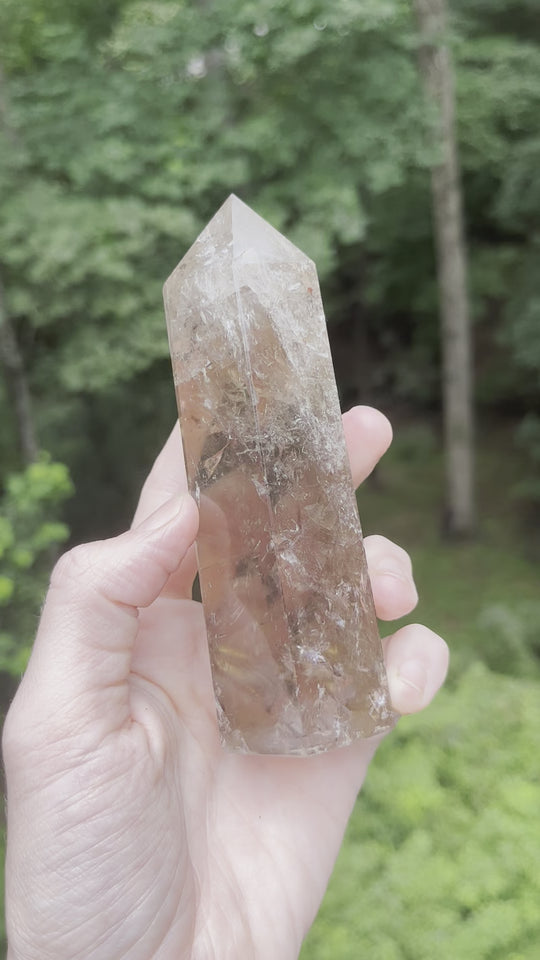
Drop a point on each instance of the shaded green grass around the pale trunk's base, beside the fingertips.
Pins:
(474, 593)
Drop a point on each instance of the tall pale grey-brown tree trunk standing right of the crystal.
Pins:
(438, 79)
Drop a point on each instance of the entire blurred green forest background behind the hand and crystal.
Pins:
(123, 126)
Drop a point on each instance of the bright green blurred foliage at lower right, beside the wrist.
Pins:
(441, 855)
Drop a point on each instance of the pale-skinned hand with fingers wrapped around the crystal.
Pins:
(132, 835)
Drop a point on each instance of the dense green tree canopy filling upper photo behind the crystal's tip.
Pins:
(127, 122)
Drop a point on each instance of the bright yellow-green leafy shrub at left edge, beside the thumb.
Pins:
(30, 531)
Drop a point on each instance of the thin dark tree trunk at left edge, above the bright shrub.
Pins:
(17, 384)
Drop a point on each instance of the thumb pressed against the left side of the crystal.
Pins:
(80, 664)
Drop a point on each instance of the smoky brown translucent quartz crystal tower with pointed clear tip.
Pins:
(295, 652)
